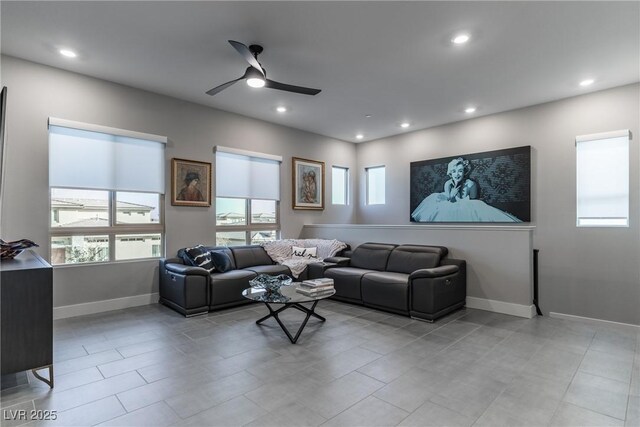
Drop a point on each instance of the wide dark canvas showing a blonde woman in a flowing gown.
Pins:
(494, 186)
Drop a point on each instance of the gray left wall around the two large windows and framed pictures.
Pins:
(37, 92)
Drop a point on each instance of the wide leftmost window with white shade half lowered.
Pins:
(106, 194)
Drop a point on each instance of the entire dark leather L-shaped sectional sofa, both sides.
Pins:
(413, 280)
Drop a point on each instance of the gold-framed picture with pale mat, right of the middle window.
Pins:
(308, 184)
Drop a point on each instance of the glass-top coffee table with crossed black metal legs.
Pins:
(289, 298)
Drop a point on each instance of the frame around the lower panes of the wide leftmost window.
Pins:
(112, 230)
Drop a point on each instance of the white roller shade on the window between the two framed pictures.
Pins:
(247, 175)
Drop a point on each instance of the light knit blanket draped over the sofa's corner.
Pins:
(280, 251)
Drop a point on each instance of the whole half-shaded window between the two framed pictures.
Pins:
(247, 197)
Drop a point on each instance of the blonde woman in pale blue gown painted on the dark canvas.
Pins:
(459, 200)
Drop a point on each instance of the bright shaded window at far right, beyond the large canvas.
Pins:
(602, 165)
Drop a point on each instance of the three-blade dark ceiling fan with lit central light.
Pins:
(256, 75)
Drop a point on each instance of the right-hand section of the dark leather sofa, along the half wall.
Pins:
(414, 280)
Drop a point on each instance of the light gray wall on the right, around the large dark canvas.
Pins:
(591, 272)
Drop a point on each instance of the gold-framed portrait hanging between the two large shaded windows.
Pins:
(190, 183)
